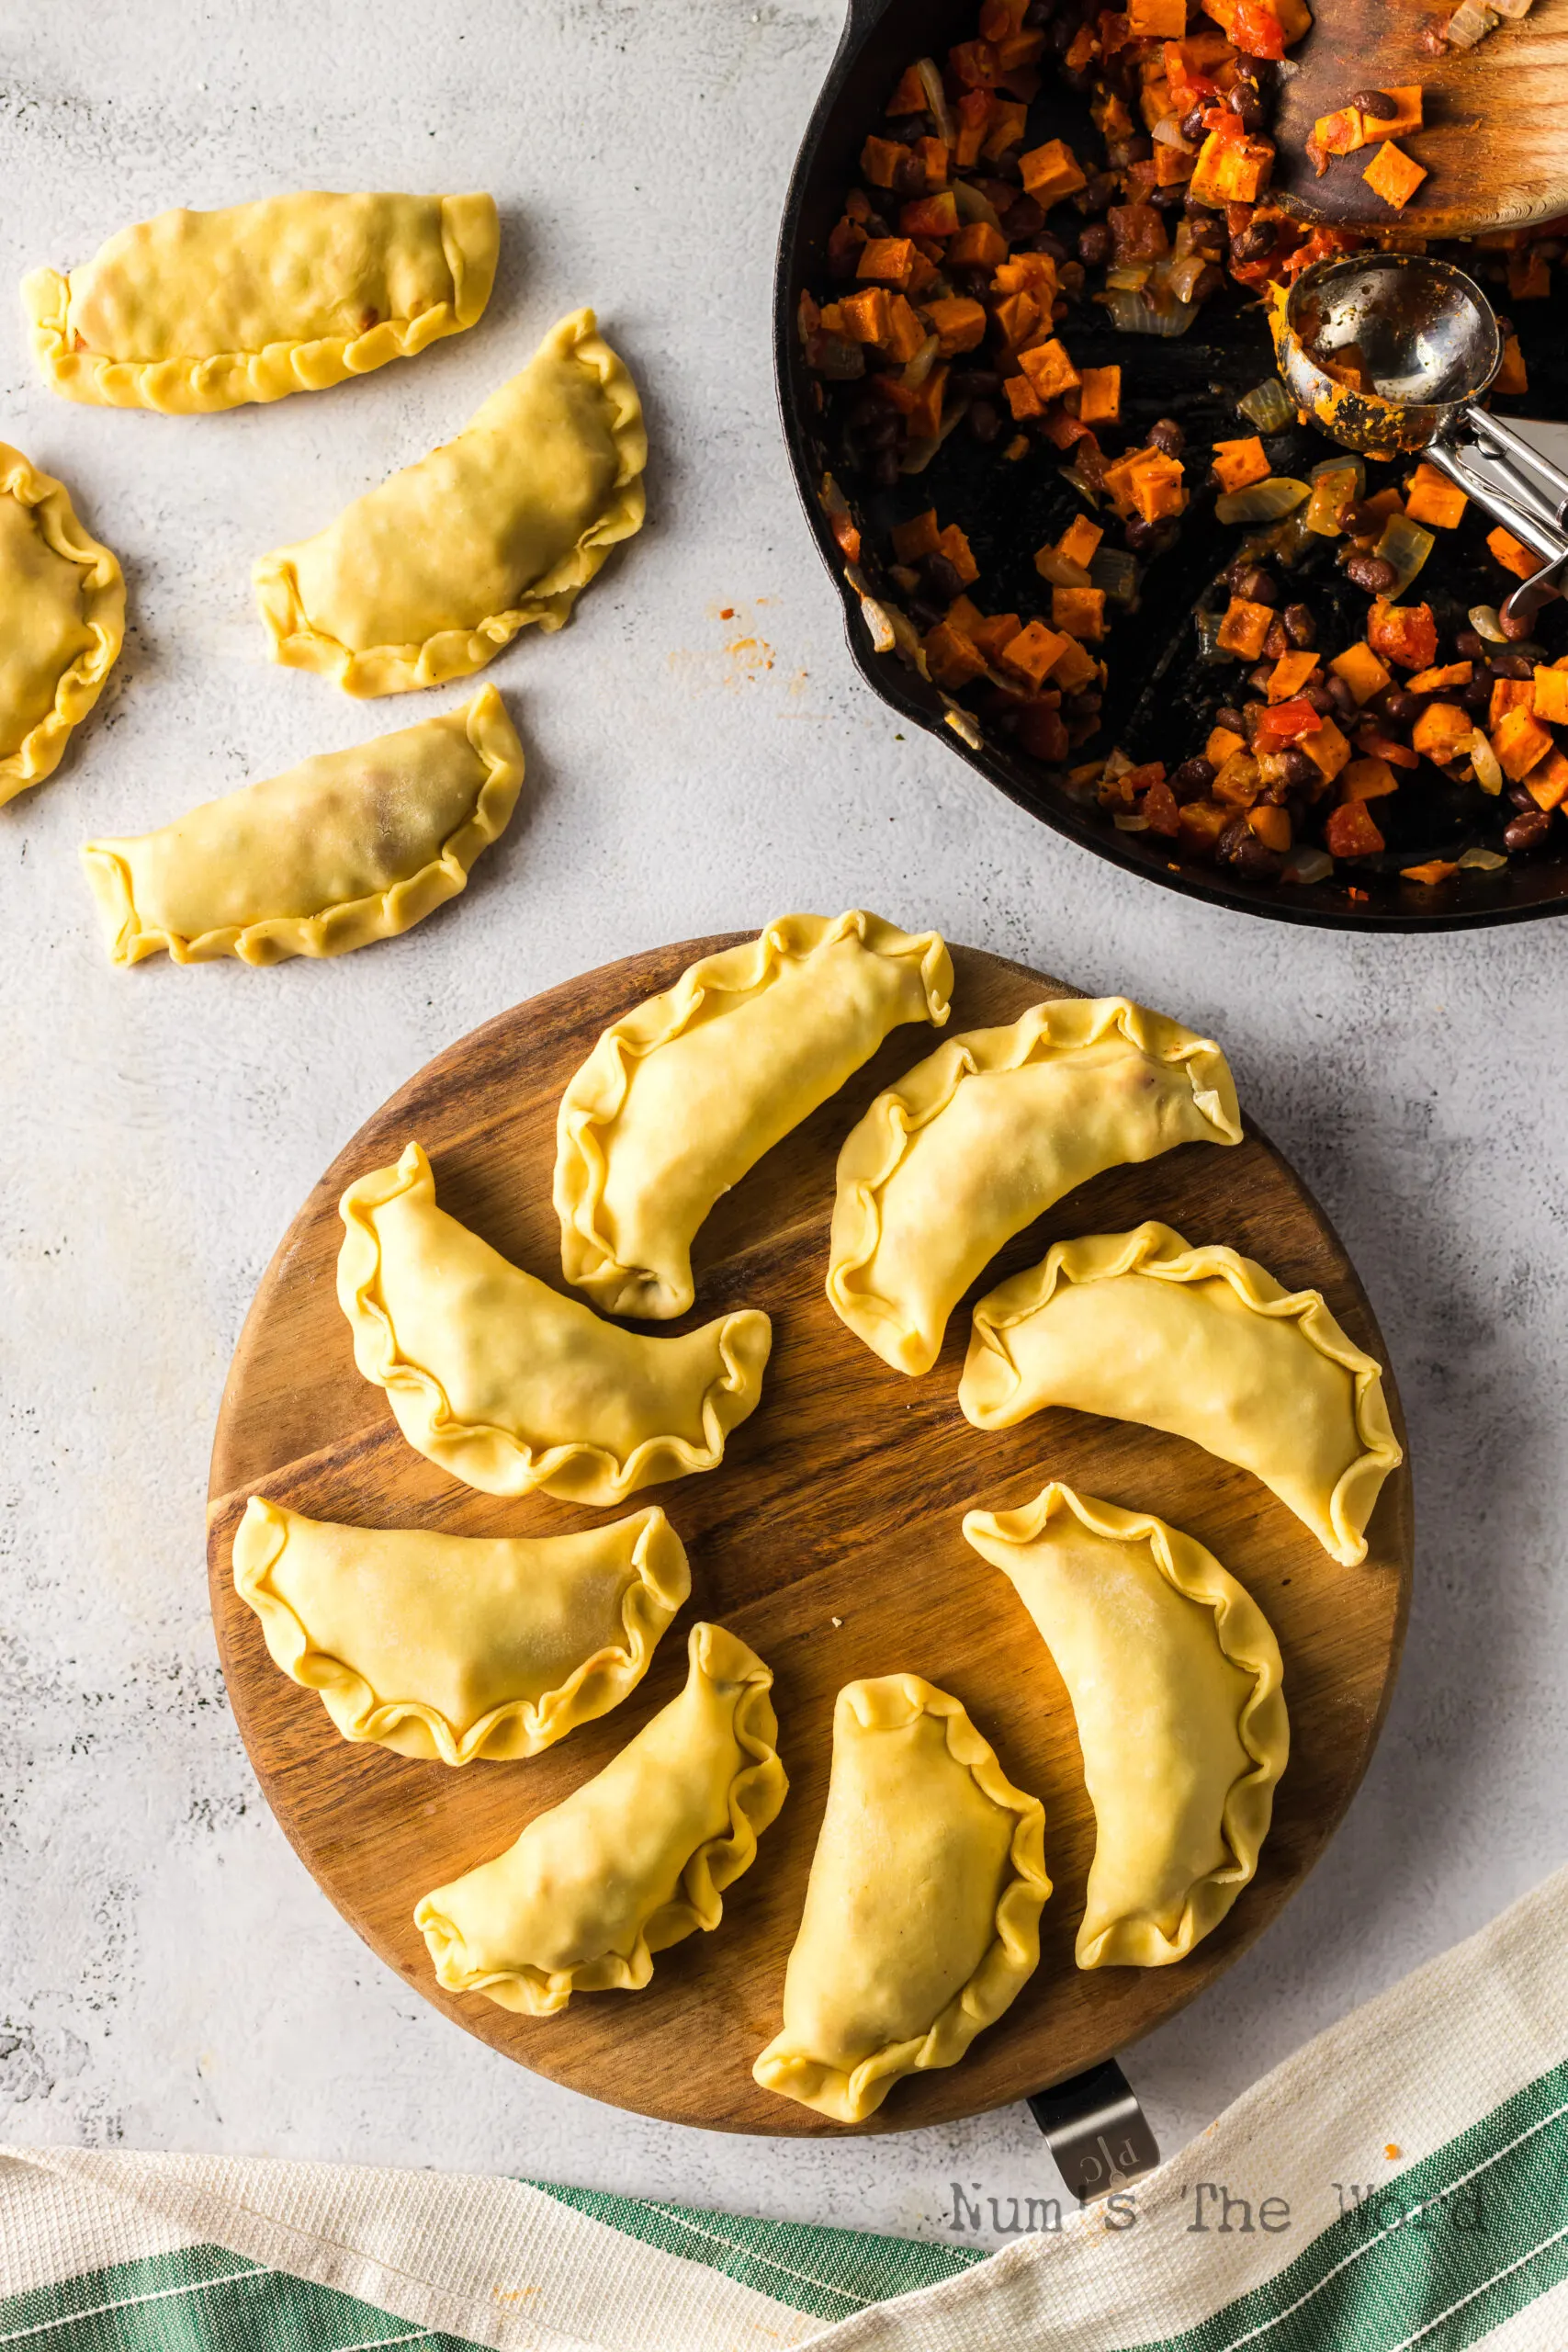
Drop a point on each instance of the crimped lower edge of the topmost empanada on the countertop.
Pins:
(232, 380)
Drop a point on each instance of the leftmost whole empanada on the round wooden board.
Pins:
(460, 1648)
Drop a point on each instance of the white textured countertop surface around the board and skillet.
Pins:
(168, 1972)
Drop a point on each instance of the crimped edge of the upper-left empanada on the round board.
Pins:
(450, 1438)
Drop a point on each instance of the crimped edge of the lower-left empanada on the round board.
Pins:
(756, 1798)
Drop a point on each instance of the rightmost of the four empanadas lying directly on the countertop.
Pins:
(436, 570)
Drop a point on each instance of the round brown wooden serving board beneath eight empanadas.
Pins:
(829, 1539)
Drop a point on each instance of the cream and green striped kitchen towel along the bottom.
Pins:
(1402, 2181)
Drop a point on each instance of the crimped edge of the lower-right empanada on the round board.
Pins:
(1247, 1641)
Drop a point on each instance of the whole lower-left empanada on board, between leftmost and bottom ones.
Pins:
(629, 1864)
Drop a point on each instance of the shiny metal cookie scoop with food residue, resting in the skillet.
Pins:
(1391, 354)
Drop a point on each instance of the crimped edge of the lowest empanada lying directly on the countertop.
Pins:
(351, 923)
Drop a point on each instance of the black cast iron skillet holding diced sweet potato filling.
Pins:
(1155, 688)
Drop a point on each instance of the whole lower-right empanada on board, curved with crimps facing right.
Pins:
(1174, 1683)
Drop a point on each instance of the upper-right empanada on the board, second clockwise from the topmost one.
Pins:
(986, 1135)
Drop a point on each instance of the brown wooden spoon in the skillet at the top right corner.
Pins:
(1494, 142)
